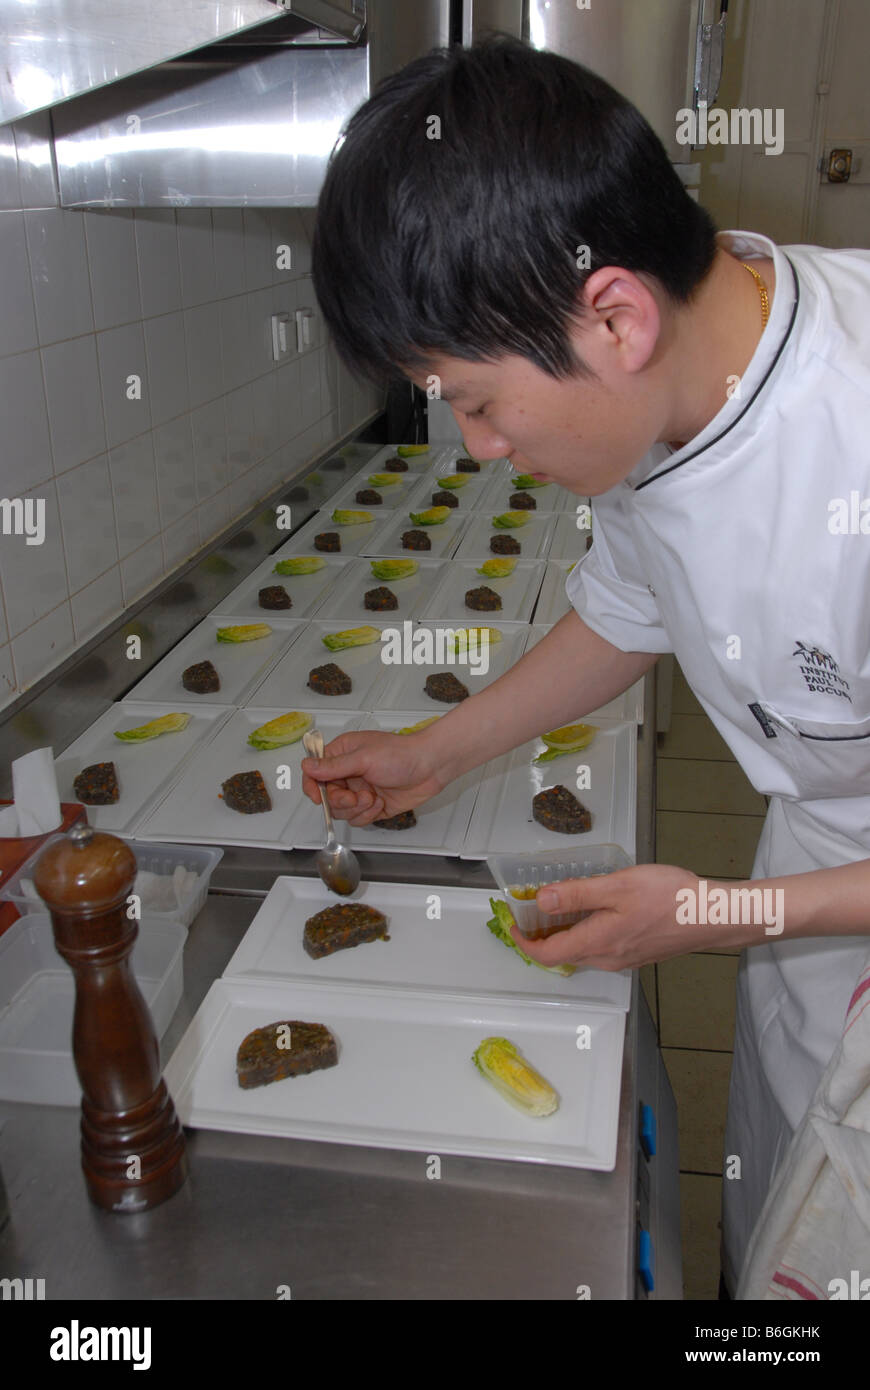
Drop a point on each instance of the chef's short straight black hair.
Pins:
(463, 240)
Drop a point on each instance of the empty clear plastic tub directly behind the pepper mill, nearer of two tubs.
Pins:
(38, 997)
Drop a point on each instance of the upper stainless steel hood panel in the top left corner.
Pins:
(59, 49)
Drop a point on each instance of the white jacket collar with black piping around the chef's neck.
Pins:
(661, 461)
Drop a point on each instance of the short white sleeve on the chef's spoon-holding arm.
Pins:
(609, 591)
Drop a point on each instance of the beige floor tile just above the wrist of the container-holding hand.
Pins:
(711, 846)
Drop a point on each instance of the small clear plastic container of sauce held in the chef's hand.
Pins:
(520, 876)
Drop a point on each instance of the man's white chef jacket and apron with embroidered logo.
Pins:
(729, 554)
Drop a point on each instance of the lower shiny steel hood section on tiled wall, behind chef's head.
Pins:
(245, 123)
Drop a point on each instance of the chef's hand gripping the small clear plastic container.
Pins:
(633, 922)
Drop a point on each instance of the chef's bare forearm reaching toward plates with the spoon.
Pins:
(569, 673)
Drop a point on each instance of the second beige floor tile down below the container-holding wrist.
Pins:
(701, 1088)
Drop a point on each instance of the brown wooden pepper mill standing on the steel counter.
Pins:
(133, 1143)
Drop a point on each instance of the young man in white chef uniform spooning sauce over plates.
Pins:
(501, 220)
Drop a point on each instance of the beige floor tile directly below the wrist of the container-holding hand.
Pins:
(697, 1001)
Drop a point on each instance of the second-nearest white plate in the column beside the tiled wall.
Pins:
(240, 665)
